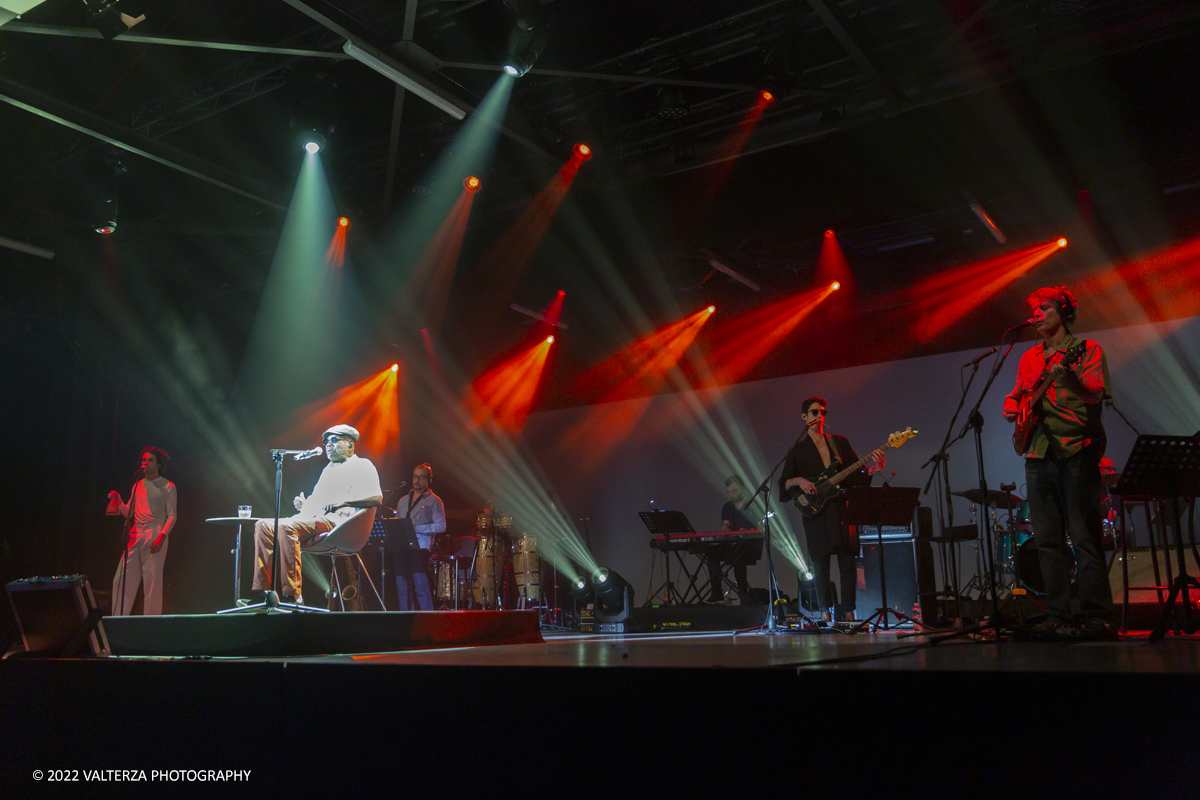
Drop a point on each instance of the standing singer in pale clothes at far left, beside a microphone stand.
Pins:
(151, 518)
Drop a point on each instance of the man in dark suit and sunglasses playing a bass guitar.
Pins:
(825, 533)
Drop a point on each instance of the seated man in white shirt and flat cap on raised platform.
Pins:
(346, 485)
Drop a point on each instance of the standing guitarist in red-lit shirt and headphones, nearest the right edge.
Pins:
(1063, 468)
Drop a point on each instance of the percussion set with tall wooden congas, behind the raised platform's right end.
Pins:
(493, 570)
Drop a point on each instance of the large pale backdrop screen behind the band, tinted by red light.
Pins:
(1156, 376)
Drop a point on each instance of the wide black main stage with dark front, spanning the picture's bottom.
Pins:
(631, 717)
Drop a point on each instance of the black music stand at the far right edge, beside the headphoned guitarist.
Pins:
(1166, 470)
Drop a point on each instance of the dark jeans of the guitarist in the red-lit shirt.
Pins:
(1065, 501)
